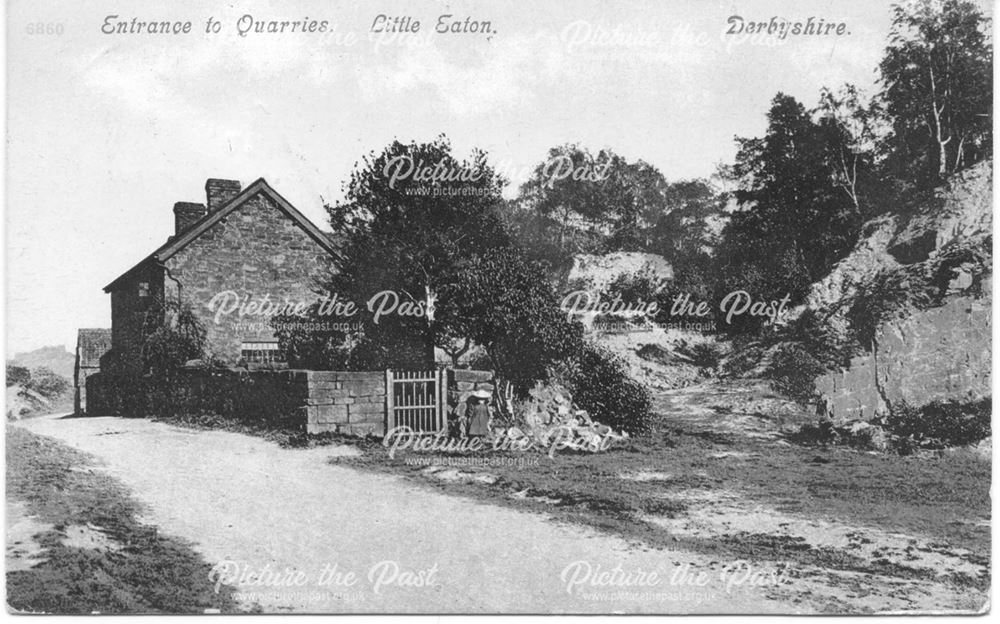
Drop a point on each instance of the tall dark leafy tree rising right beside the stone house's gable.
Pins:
(414, 217)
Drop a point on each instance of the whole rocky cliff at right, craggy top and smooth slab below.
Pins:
(927, 272)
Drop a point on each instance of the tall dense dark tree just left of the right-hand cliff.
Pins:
(793, 219)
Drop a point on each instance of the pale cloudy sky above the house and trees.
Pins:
(106, 132)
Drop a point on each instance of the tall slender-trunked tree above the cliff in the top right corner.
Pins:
(937, 87)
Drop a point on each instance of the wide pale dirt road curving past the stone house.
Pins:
(298, 534)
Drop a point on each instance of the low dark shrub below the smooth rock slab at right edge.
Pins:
(940, 424)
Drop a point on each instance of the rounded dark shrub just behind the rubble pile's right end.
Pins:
(601, 385)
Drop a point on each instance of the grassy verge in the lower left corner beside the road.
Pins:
(144, 573)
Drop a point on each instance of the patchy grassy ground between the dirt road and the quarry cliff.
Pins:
(936, 496)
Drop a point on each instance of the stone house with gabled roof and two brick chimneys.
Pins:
(242, 253)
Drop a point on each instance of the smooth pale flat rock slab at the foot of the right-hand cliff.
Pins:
(943, 353)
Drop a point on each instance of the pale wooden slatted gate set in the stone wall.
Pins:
(416, 399)
